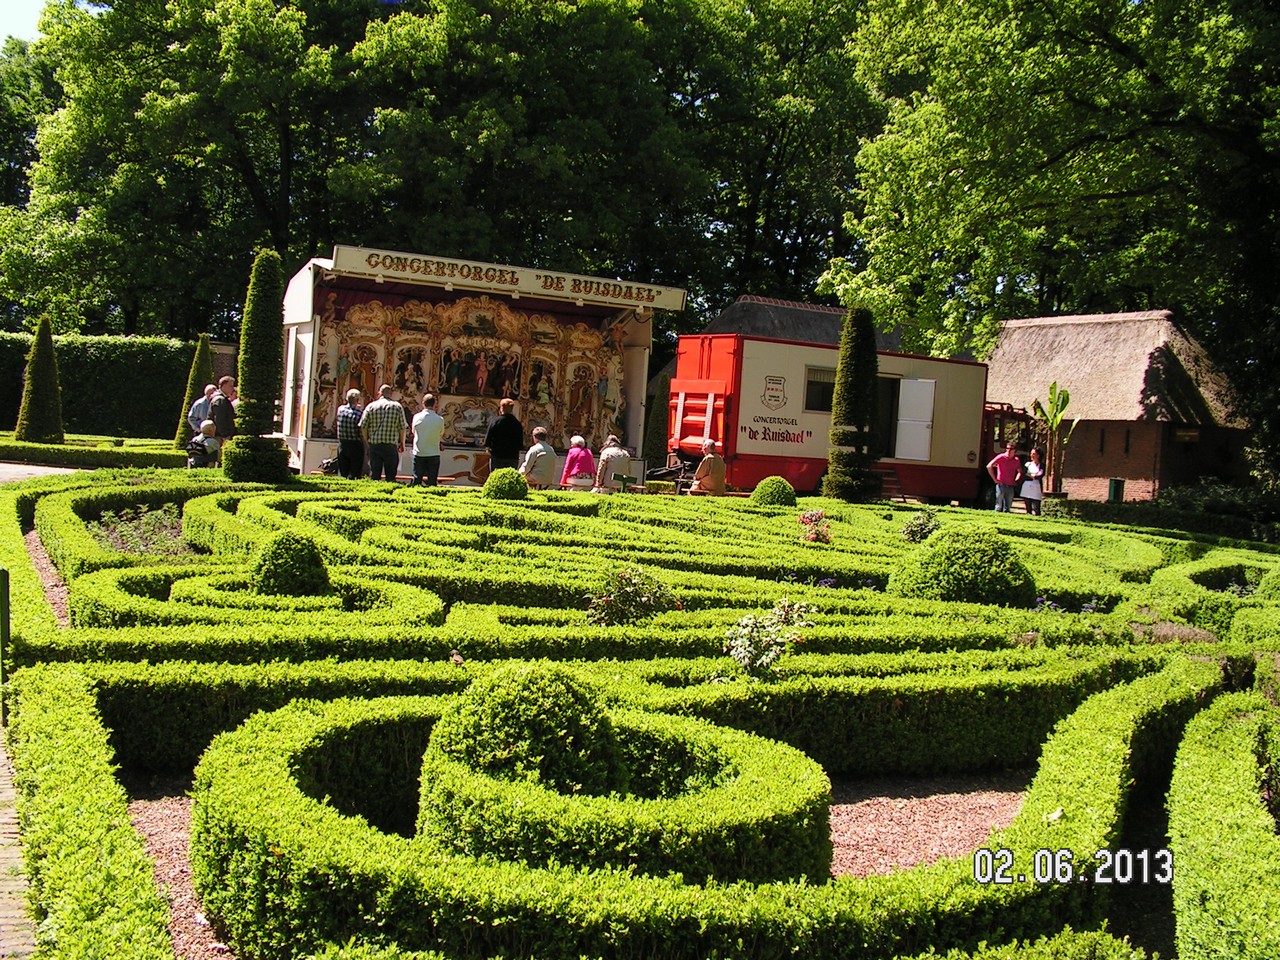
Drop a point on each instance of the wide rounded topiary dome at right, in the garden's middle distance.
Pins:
(967, 566)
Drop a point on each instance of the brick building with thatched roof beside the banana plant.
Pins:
(1154, 410)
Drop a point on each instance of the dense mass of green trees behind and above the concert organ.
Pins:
(612, 138)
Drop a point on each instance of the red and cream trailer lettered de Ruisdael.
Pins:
(767, 405)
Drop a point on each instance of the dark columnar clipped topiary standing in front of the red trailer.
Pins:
(854, 403)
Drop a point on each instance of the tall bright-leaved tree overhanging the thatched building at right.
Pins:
(1048, 157)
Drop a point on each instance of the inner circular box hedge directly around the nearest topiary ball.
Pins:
(729, 807)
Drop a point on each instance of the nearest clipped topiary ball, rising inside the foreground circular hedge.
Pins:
(534, 723)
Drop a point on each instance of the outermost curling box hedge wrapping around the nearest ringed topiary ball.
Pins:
(287, 872)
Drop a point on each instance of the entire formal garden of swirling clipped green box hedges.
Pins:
(408, 738)
